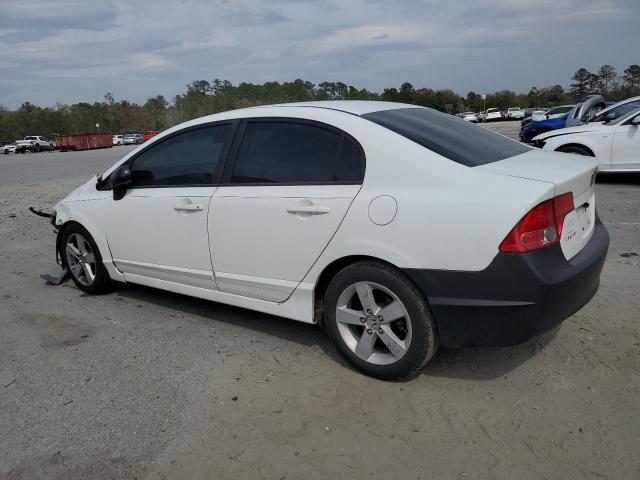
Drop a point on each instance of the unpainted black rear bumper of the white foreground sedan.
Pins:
(517, 297)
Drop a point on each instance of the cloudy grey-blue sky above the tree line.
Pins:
(67, 51)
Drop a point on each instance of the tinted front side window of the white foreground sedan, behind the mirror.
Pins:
(191, 158)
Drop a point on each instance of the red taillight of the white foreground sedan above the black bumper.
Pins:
(541, 227)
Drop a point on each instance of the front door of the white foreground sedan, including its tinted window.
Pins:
(159, 228)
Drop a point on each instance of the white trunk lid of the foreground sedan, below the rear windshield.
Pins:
(568, 173)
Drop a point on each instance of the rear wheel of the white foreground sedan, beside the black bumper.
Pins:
(378, 321)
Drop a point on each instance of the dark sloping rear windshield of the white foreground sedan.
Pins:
(448, 135)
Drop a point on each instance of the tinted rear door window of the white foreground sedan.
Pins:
(296, 153)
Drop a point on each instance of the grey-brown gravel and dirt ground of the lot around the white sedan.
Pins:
(146, 384)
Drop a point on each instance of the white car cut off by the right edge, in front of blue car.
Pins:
(615, 143)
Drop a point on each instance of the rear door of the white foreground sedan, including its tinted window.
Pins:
(282, 200)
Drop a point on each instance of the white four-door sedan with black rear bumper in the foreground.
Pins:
(397, 228)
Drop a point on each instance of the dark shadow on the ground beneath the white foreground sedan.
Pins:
(465, 363)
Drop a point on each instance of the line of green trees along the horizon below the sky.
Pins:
(203, 97)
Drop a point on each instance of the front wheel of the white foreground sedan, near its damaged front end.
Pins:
(82, 259)
